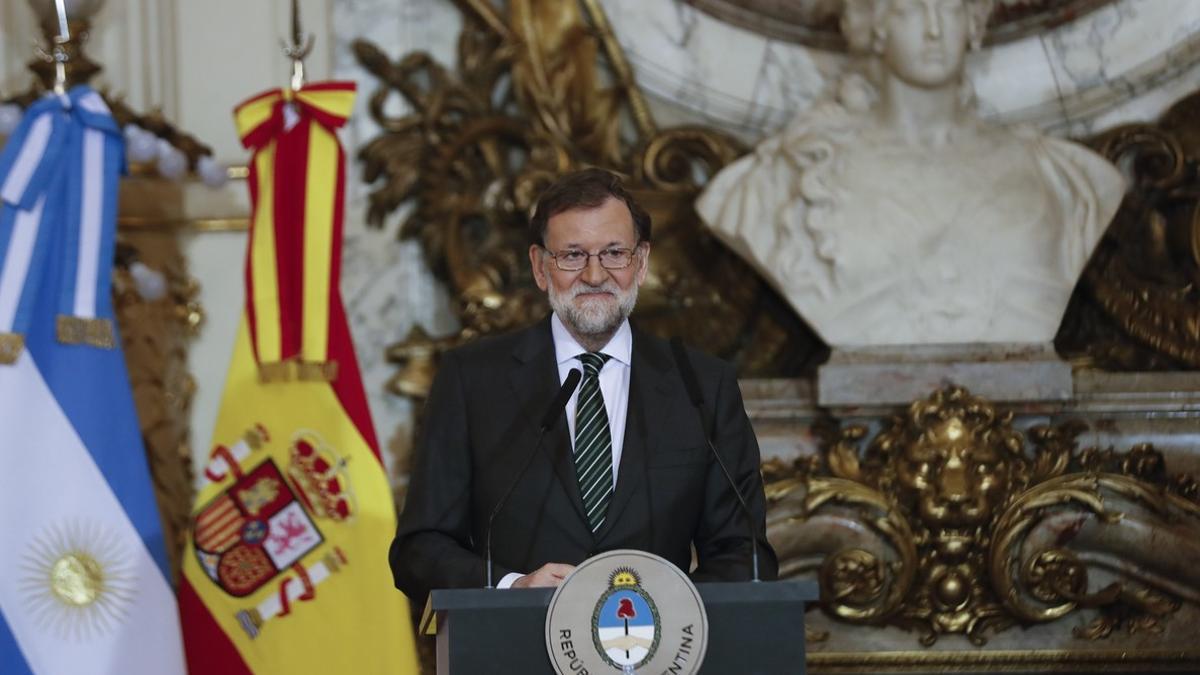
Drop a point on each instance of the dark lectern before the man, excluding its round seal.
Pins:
(754, 629)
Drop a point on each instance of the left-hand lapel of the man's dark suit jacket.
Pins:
(535, 380)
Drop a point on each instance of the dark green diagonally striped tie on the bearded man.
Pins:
(593, 443)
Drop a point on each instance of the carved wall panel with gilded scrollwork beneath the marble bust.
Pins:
(857, 495)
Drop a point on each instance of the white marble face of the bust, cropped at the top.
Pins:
(925, 43)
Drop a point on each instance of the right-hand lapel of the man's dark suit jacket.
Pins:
(647, 386)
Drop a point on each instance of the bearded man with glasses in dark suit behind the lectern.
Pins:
(627, 467)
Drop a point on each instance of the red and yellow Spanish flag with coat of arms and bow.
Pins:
(286, 568)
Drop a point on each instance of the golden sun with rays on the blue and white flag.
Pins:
(77, 581)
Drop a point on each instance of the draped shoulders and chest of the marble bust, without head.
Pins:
(1004, 219)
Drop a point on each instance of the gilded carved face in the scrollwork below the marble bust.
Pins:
(957, 476)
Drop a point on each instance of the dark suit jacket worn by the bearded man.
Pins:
(482, 422)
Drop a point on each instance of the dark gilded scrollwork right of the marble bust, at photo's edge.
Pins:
(1138, 307)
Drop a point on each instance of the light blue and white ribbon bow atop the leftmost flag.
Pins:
(59, 174)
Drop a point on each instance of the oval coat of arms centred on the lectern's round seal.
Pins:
(626, 626)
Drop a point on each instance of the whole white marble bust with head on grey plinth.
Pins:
(892, 214)
